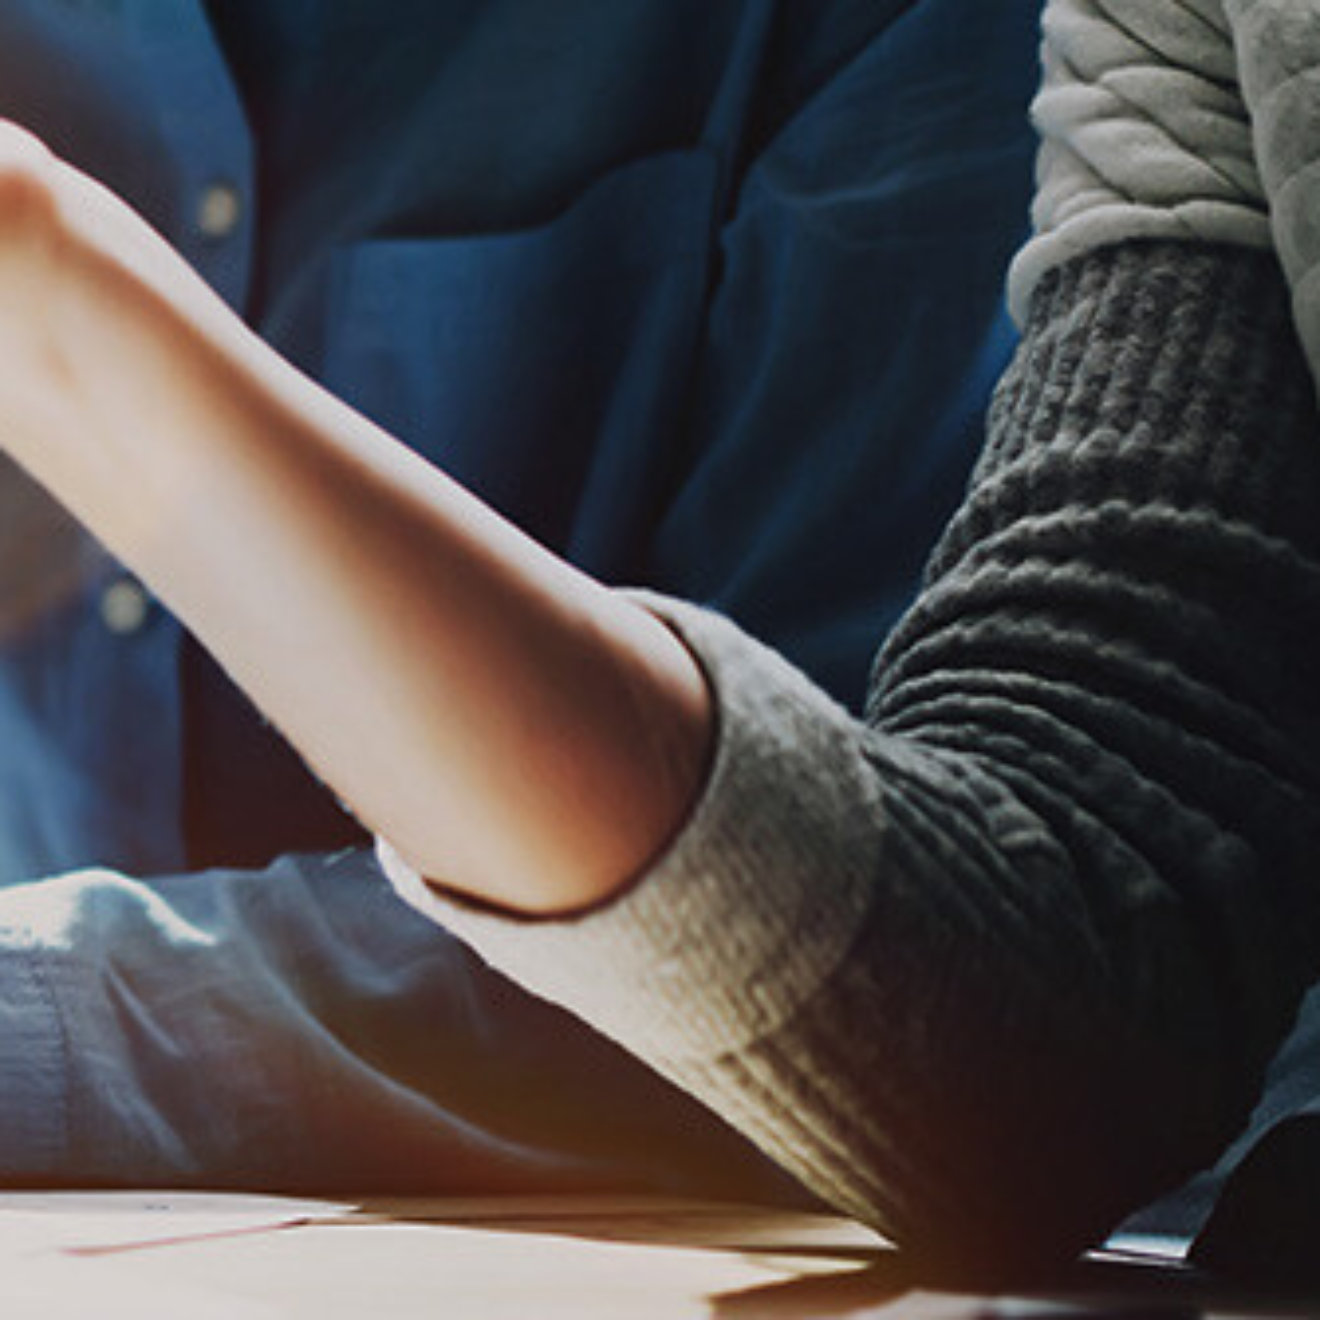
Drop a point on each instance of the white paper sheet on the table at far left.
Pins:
(93, 1223)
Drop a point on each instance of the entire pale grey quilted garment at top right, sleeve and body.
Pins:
(1185, 119)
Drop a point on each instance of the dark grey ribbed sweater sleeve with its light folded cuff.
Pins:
(996, 966)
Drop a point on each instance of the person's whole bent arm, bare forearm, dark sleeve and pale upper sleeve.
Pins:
(989, 968)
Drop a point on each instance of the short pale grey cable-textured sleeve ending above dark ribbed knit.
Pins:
(1144, 134)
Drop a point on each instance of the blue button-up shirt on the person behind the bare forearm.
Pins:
(706, 296)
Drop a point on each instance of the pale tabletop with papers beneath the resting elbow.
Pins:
(187, 1257)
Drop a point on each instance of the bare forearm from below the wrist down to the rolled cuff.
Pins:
(519, 731)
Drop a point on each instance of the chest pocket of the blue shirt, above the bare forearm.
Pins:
(546, 369)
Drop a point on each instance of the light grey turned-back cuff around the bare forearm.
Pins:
(754, 904)
